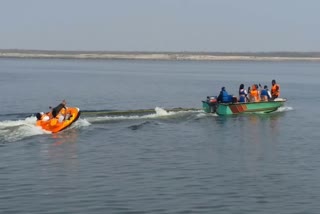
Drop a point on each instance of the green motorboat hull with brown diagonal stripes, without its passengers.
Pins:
(212, 106)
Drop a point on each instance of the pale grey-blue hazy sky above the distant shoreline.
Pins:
(161, 25)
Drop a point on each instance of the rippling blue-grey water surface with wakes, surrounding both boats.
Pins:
(143, 144)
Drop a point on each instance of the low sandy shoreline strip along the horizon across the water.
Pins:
(187, 56)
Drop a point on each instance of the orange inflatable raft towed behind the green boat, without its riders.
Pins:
(54, 125)
